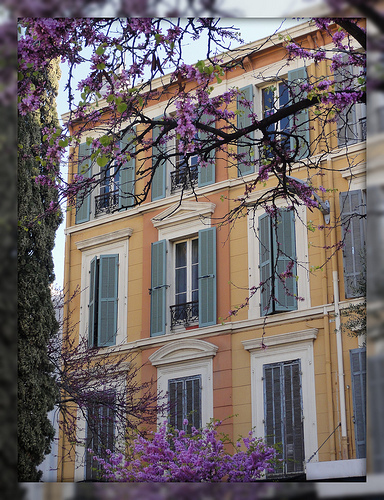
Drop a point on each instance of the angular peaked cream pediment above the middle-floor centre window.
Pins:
(182, 219)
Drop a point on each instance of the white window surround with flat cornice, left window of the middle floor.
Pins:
(112, 243)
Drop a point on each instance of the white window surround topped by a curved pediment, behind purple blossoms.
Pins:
(186, 358)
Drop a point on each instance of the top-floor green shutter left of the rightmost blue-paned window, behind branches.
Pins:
(245, 145)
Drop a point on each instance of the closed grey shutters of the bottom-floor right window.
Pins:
(283, 413)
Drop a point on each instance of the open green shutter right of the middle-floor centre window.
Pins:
(207, 276)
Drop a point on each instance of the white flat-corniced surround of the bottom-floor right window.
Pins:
(280, 348)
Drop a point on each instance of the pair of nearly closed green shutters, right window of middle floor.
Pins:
(277, 251)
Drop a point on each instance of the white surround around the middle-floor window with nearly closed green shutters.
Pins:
(302, 267)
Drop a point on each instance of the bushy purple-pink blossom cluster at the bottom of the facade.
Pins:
(175, 456)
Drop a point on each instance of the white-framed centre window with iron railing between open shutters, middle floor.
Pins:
(185, 310)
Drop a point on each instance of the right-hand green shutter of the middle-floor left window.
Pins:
(108, 287)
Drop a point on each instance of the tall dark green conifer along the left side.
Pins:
(37, 391)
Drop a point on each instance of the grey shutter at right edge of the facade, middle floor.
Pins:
(353, 235)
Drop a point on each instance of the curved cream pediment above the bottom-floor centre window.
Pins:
(183, 350)
